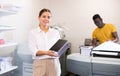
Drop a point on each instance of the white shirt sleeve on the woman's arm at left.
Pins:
(32, 44)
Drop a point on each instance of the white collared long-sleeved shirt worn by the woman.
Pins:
(39, 40)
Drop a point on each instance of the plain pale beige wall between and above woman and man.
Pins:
(77, 16)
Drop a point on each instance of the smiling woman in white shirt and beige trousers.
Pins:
(41, 40)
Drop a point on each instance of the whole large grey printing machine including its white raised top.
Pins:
(104, 60)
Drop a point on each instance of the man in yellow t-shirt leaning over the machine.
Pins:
(103, 32)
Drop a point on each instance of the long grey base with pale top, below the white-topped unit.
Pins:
(93, 66)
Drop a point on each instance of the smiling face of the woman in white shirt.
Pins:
(45, 18)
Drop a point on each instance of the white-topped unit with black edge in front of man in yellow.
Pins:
(108, 48)
